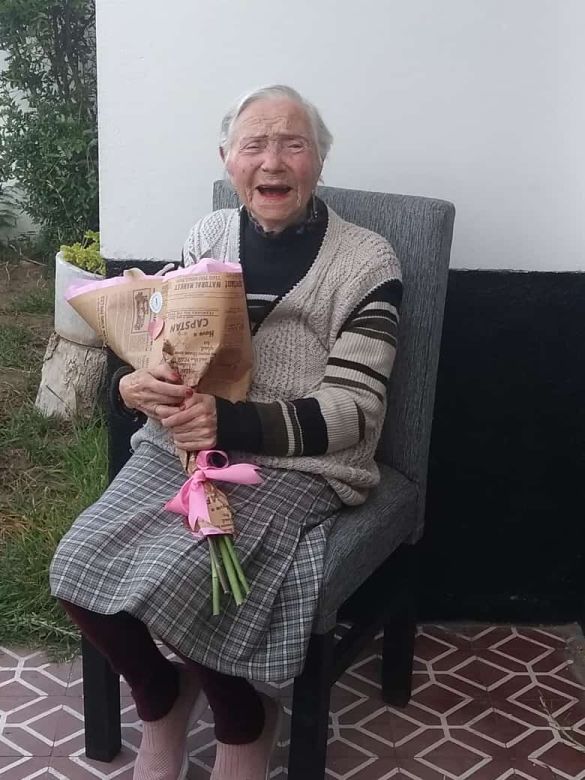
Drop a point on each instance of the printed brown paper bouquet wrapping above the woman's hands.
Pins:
(201, 327)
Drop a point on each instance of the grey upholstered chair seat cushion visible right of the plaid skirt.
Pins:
(362, 538)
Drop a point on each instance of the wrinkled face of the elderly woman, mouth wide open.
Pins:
(273, 162)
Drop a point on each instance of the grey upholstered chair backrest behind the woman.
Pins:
(420, 230)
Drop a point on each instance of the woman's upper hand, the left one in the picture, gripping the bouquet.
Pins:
(153, 391)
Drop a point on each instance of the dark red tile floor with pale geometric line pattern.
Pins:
(489, 703)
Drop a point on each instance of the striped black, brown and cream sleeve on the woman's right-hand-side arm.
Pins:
(349, 401)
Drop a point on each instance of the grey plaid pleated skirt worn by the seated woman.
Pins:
(127, 553)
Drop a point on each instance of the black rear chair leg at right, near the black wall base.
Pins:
(398, 652)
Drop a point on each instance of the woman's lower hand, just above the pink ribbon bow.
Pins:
(194, 426)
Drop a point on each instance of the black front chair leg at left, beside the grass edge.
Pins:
(101, 705)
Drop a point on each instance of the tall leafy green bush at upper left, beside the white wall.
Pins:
(48, 114)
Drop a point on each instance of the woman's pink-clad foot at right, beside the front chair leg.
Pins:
(250, 761)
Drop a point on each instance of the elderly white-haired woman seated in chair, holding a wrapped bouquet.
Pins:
(323, 298)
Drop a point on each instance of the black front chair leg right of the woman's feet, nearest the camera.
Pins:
(310, 712)
